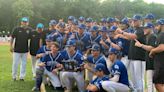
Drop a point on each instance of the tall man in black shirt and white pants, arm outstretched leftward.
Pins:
(136, 55)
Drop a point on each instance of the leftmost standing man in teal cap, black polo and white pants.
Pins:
(20, 36)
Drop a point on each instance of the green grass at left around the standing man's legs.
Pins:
(6, 83)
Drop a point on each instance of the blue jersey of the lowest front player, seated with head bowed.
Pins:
(97, 82)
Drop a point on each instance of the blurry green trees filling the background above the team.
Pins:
(44, 10)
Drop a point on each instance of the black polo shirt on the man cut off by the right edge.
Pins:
(159, 57)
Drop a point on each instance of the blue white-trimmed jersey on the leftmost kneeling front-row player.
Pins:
(51, 61)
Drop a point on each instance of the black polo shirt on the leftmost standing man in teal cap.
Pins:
(21, 35)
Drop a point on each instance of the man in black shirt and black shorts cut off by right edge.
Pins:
(158, 54)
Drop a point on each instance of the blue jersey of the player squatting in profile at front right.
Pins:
(118, 68)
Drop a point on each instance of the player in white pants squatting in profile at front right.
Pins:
(118, 81)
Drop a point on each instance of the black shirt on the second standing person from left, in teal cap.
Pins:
(35, 37)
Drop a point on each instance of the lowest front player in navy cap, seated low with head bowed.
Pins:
(95, 85)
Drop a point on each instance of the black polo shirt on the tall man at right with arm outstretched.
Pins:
(137, 53)
